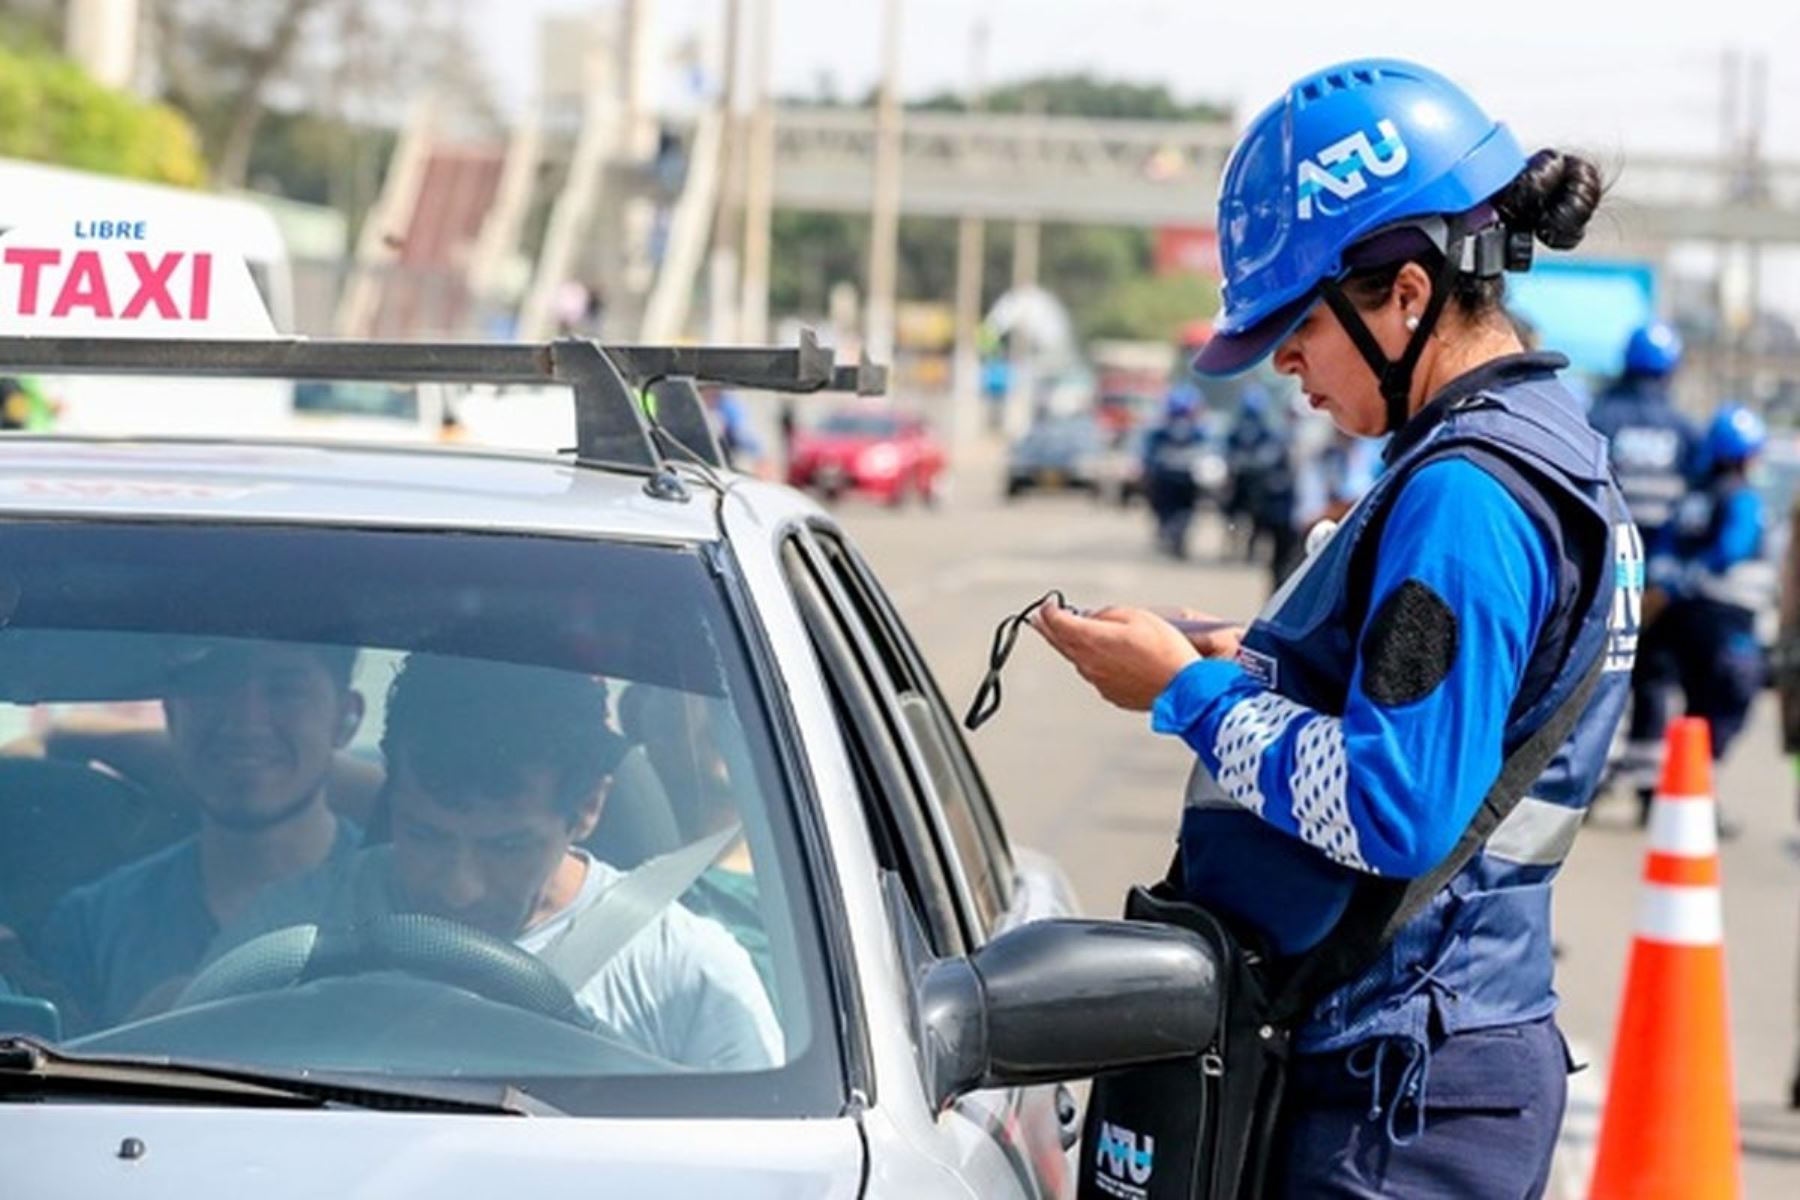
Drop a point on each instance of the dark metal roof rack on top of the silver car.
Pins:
(611, 424)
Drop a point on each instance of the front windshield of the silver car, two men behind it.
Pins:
(417, 805)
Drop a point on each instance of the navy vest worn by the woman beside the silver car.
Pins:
(1479, 953)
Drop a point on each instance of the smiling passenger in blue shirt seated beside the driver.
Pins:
(253, 730)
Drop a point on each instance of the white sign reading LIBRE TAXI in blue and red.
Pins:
(125, 278)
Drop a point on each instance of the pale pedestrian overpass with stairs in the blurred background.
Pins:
(975, 168)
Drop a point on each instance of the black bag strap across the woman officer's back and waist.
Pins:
(1381, 908)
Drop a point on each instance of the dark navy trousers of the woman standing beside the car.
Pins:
(1493, 1107)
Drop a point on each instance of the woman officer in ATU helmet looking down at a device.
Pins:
(1482, 591)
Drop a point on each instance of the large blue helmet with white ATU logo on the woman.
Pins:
(1345, 154)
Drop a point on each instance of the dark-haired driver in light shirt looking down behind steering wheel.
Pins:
(496, 775)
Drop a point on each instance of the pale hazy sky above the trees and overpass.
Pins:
(1581, 75)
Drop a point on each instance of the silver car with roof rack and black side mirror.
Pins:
(465, 823)
